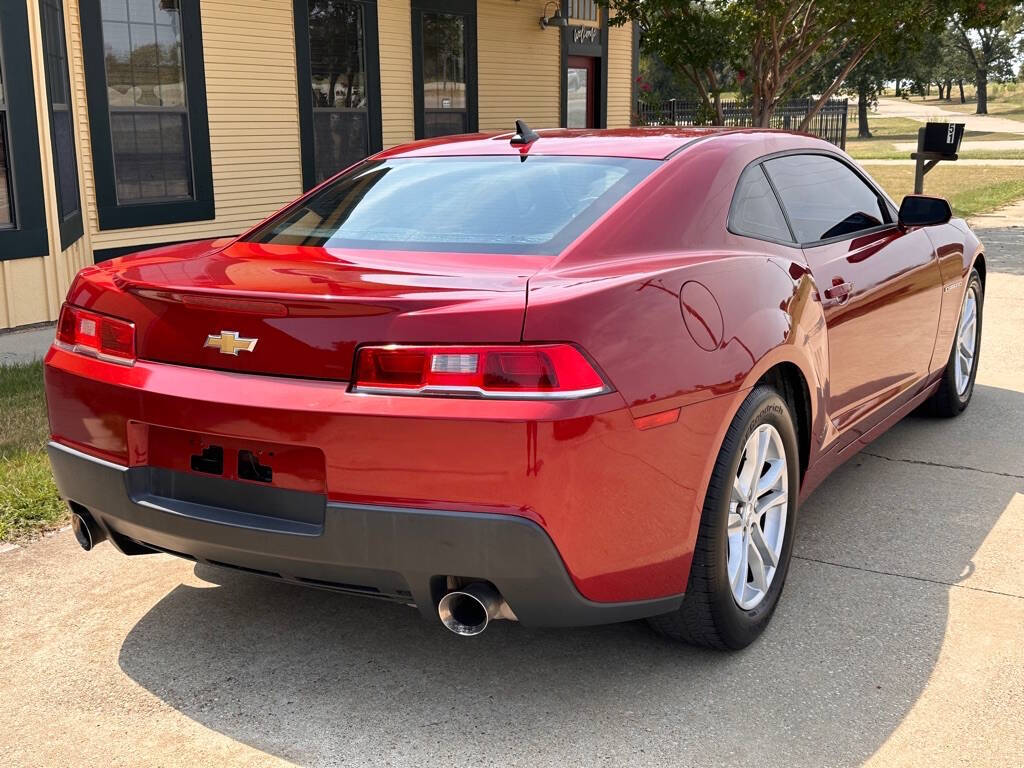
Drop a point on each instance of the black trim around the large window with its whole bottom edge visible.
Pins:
(122, 217)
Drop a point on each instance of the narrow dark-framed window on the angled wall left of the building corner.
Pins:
(62, 124)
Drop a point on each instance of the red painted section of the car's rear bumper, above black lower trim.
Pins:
(621, 505)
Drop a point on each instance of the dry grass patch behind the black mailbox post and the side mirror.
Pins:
(983, 189)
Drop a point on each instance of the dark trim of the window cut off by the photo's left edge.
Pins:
(29, 237)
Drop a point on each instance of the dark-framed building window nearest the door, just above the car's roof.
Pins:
(445, 67)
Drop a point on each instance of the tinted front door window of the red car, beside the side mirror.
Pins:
(824, 198)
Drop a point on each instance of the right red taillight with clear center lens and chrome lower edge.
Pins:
(541, 371)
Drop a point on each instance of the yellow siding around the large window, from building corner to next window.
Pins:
(249, 54)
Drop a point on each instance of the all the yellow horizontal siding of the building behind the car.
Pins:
(252, 101)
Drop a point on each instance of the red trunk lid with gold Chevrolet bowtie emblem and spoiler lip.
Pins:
(309, 308)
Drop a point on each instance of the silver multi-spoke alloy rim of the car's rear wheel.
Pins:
(758, 508)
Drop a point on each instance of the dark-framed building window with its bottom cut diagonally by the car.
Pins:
(339, 84)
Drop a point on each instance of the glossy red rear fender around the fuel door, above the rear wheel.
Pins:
(632, 324)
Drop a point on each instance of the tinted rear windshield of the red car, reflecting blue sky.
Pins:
(533, 205)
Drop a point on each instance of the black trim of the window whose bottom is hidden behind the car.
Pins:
(304, 69)
